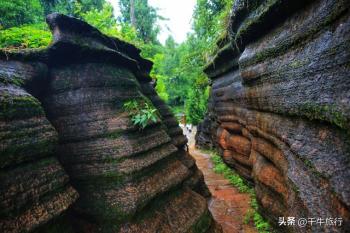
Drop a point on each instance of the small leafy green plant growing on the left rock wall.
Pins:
(141, 112)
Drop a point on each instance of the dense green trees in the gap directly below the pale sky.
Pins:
(179, 69)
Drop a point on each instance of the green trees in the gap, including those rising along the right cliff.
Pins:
(179, 70)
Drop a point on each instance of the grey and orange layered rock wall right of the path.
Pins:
(279, 107)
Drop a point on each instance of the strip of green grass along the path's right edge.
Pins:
(220, 167)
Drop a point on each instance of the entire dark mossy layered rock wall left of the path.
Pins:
(66, 102)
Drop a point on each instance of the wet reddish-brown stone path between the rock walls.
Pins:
(227, 204)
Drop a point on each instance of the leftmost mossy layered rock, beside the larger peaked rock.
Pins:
(34, 187)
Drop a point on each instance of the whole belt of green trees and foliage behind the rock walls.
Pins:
(177, 68)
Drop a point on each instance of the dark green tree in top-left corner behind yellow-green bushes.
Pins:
(19, 12)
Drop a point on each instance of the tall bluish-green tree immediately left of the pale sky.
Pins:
(142, 16)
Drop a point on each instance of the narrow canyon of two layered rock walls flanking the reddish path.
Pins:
(73, 160)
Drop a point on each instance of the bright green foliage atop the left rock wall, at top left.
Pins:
(27, 33)
